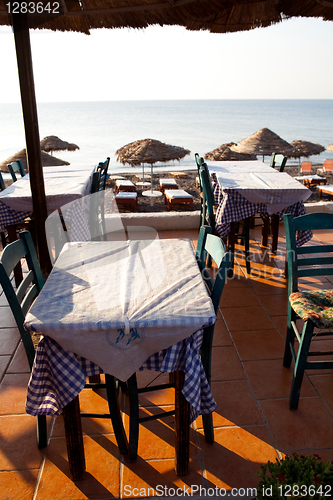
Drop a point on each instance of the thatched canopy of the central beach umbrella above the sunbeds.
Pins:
(149, 151)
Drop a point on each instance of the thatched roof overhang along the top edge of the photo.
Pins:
(219, 16)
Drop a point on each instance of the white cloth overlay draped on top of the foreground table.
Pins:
(116, 303)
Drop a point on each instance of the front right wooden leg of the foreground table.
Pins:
(182, 427)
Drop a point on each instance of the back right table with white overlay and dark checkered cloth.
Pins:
(242, 189)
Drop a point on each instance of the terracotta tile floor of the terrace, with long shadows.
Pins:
(252, 422)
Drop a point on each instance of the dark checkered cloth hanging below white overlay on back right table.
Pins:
(233, 207)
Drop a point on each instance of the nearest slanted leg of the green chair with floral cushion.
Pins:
(300, 365)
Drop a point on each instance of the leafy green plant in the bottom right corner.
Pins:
(296, 476)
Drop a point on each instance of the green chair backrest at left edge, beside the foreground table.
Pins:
(21, 298)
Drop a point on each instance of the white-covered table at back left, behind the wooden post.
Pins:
(62, 185)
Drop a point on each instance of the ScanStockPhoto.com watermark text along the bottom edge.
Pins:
(188, 491)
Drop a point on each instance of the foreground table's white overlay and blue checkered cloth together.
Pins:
(154, 307)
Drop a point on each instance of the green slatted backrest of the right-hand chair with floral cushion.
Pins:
(308, 260)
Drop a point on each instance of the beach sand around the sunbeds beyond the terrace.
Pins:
(188, 184)
